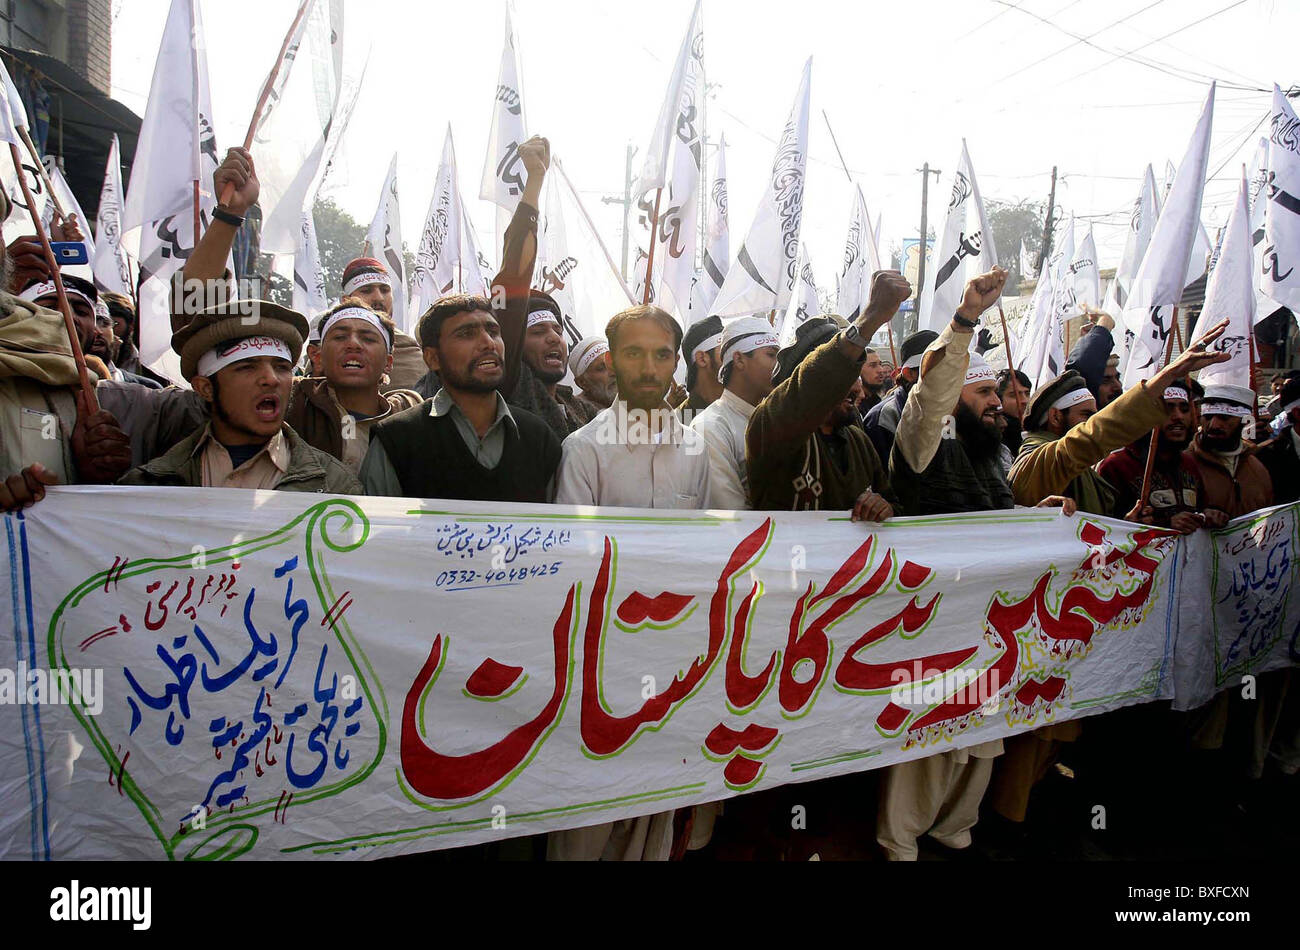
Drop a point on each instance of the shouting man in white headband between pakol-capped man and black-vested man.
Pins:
(337, 410)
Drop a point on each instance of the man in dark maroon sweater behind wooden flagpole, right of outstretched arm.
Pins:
(1173, 501)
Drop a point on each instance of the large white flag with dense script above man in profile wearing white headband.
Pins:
(764, 276)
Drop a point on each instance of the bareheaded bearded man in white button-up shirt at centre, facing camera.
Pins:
(636, 454)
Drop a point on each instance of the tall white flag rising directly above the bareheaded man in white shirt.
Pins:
(678, 201)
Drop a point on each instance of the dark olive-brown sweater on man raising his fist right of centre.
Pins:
(791, 467)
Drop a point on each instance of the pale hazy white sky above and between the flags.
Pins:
(902, 83)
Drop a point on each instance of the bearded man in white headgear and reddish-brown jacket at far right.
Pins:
(1233, 481)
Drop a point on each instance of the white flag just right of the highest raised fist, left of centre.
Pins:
(573, 263)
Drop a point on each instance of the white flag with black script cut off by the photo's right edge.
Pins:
(1280, 271)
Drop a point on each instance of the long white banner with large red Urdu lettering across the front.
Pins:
(275, 675)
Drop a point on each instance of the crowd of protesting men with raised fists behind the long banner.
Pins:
(474, 407)
